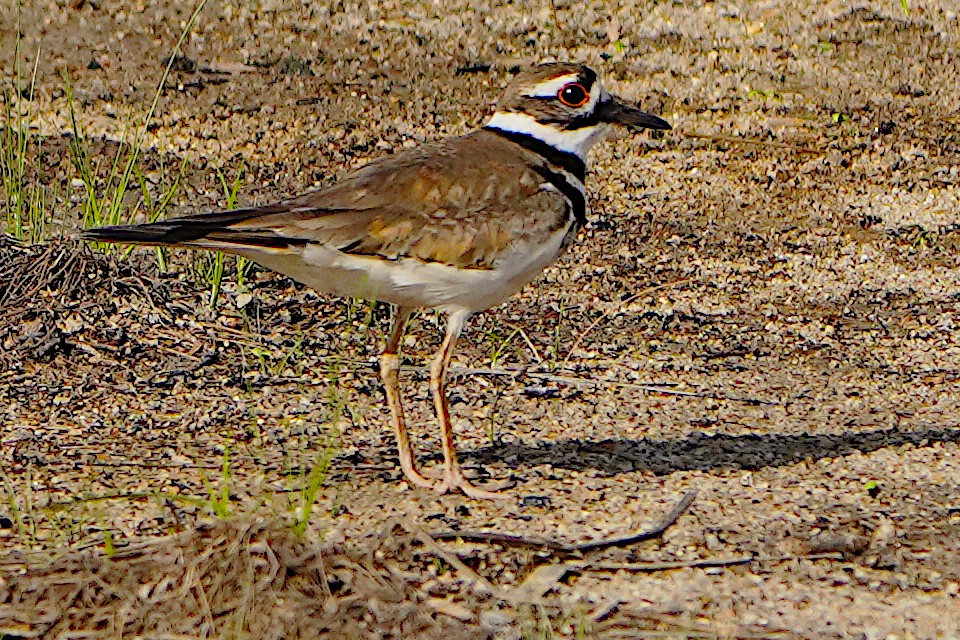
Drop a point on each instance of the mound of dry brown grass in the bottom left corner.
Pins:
(236, 578)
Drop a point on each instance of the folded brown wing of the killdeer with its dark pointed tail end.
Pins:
(461, 202)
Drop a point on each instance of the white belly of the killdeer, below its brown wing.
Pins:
(410, 282)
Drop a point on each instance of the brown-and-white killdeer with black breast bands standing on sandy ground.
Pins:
(458, 225)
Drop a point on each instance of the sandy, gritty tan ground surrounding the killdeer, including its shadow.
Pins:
(783, 266)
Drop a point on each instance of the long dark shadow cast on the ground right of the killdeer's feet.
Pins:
(703, 452)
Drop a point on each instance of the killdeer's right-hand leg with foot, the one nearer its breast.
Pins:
(453, 477)
